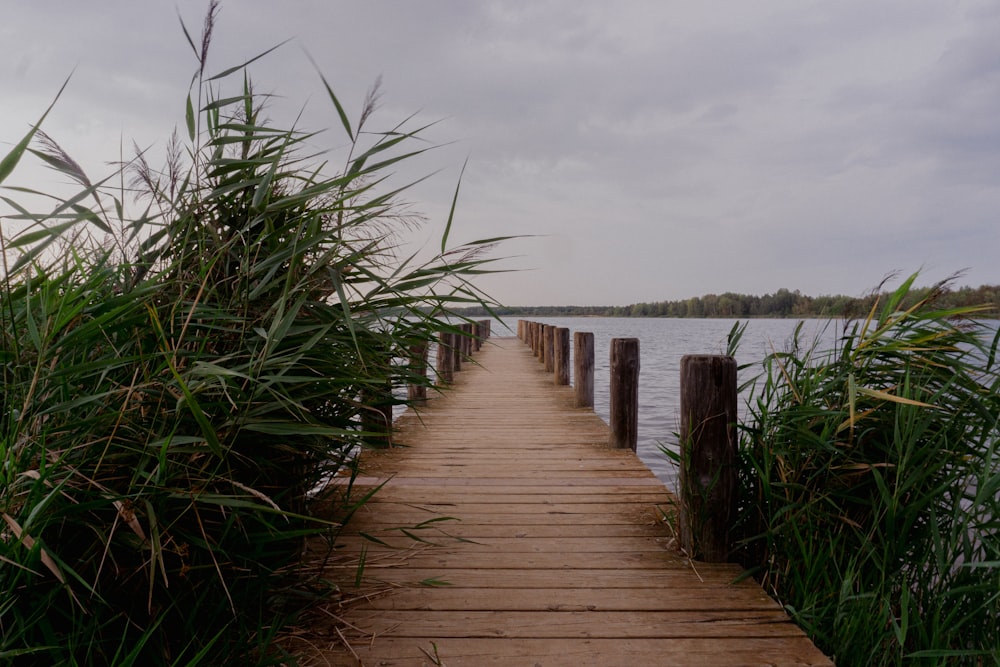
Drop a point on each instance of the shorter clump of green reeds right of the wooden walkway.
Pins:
(871, 486)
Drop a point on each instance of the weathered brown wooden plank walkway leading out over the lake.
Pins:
(536, 545)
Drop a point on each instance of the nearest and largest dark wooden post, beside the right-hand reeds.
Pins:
(708, 454)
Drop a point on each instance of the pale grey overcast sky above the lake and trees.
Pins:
(641, 150)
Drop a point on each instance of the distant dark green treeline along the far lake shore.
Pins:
(781, 304)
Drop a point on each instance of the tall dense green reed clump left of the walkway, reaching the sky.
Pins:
(178, 380)
